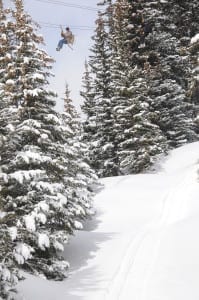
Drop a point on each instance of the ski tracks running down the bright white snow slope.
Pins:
(137, 264)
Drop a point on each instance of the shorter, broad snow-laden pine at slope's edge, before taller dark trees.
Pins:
(141, 142)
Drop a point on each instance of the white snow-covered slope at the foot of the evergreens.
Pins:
(143, 243)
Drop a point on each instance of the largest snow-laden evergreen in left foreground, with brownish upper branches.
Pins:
(40, 204)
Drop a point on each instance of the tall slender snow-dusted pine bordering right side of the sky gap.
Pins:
(101, 147)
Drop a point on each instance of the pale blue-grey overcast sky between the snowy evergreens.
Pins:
(69, 65)
